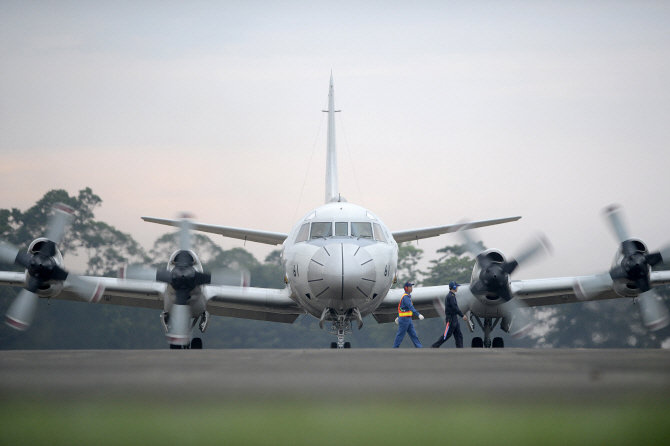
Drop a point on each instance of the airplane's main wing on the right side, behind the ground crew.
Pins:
(533, 292)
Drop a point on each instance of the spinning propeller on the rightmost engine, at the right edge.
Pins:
(634, 270)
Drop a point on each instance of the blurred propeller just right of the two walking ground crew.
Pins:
(494, 279)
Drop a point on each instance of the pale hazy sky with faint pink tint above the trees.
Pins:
(450, 110)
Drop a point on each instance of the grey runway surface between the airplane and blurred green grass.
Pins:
(571, 375)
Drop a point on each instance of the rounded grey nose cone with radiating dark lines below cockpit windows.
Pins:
(341, 271)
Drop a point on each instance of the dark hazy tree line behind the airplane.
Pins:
(78, 325)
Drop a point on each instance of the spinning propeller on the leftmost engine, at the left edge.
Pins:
(43, 268)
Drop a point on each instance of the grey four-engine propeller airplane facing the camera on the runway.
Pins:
(340, 262)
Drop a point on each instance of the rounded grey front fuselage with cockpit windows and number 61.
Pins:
(341, 257)
